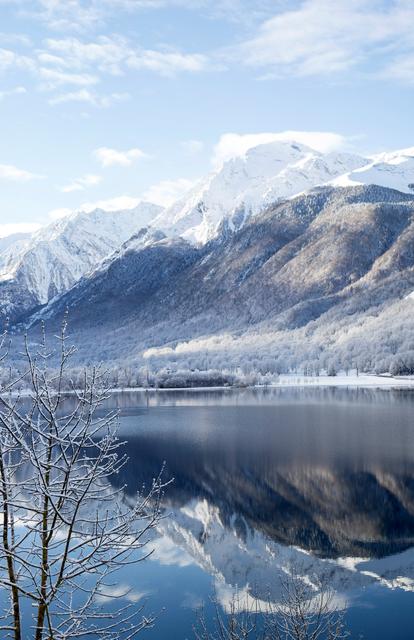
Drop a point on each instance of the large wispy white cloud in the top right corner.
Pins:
(315, 38)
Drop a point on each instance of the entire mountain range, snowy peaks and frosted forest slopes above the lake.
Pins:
(282, 258)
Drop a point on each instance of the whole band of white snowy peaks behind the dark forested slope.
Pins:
(35, 270)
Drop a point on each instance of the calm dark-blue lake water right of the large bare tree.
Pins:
(321, 479)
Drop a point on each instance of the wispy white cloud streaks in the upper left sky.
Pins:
(69, 68)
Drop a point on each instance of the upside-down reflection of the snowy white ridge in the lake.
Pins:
(254, 563)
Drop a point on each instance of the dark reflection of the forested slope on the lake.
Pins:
(331, 472)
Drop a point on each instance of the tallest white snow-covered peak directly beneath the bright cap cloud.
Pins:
(248, 184)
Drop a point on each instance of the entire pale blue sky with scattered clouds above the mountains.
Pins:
(109, 101)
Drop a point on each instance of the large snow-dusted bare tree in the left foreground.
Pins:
(65, 529)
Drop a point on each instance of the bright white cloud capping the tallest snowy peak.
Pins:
(232, 145)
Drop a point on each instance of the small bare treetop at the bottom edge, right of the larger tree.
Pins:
(306, 610)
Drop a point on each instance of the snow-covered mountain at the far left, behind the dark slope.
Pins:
(55, 257)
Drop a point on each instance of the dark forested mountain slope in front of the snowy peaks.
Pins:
(304, 267)
